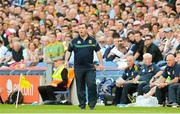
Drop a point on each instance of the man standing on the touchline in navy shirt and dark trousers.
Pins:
(84, 47)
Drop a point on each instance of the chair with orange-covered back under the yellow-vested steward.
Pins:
(67, 93)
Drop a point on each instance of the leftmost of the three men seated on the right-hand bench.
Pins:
(128, 76)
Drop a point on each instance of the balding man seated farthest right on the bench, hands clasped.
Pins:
(168, 82)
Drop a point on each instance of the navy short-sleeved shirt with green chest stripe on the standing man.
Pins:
(83, 52)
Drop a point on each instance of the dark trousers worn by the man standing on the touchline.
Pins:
(83, 78)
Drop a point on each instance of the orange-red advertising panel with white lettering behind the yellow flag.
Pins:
(10, 83)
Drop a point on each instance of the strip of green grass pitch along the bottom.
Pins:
(52, 109)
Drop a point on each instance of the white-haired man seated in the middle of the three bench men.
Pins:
(141, 82)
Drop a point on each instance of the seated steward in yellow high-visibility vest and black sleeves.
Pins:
(59, 83)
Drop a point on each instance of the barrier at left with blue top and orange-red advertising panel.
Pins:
(9, 80)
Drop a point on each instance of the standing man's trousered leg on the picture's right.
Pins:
(92, 89)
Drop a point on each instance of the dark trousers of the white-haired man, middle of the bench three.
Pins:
(130, 88)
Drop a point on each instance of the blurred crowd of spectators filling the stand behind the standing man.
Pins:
(37, 31)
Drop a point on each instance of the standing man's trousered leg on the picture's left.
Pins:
(81, 90)
